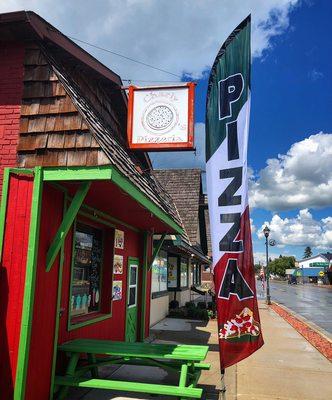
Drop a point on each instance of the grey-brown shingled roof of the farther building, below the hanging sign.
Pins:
(185, 187)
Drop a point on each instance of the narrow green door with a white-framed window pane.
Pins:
(131, 314)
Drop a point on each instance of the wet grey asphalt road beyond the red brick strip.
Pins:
(310, 302)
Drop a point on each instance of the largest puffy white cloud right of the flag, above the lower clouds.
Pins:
(302, 178)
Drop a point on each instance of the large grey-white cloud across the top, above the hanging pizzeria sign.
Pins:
(180, 36)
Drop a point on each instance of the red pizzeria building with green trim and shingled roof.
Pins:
(73, 198)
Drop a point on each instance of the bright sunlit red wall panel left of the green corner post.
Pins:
(12, 278)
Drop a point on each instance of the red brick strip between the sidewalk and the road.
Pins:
(311, 333)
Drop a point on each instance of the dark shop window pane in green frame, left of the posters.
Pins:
(86, 271)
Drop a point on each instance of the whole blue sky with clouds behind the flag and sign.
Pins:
(290, 143)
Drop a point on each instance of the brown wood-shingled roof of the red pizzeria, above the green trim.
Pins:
(65, 71)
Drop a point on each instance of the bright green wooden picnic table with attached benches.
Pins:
(186, 360)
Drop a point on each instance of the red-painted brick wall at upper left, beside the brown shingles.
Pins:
(11, 87)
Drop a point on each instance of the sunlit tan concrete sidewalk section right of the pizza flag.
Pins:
(287, 366)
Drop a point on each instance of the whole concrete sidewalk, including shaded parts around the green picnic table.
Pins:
(287, 367)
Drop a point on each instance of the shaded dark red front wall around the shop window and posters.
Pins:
(42, 338)
